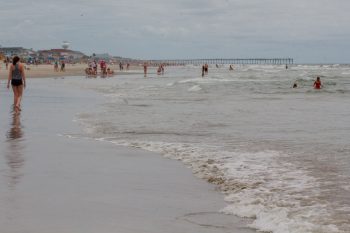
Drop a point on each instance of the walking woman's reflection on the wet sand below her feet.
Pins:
(14, 152)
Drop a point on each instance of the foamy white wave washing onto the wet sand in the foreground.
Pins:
(276, 195)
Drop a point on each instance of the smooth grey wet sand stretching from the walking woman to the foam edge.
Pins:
(51, 183)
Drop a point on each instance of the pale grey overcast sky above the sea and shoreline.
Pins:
(310, 31)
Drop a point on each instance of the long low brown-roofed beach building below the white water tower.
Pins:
(60, 54)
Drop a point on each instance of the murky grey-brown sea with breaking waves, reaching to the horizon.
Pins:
(280, 154)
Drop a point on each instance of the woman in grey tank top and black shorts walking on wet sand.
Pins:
(18, 81)
